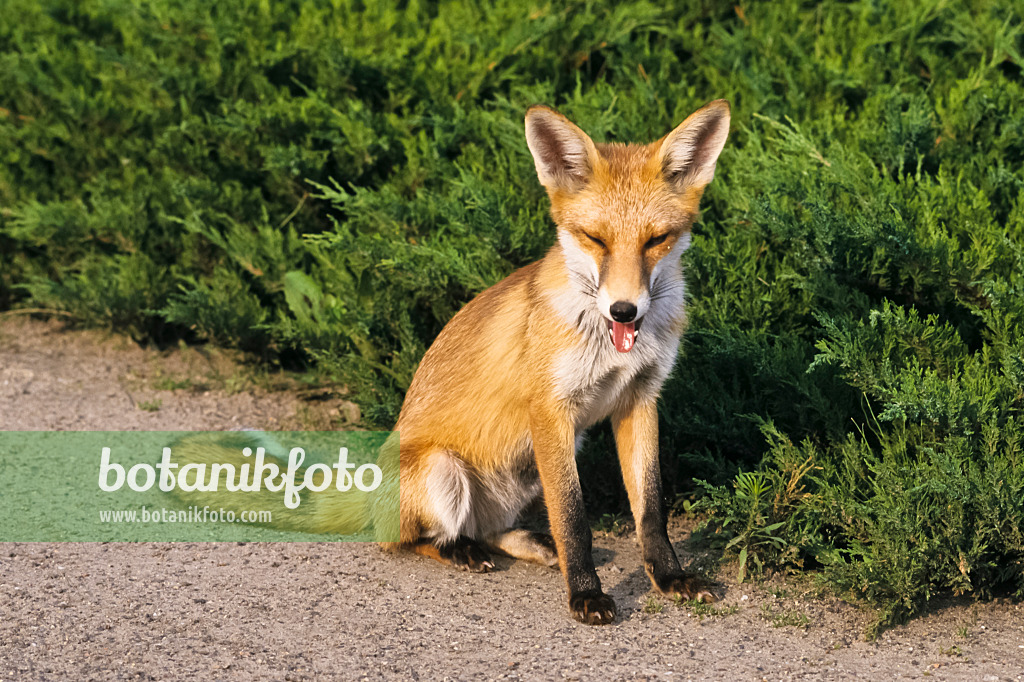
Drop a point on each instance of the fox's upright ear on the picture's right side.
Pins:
(689, 153)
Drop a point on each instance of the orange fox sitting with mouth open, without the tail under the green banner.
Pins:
(501, 401)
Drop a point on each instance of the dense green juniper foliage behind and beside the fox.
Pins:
(331, 181)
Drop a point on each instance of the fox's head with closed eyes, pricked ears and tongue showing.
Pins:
(624, 211)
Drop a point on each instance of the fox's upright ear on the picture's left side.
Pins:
(565, 155)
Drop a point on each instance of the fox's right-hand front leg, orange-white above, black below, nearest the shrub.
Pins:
(636, 439)
